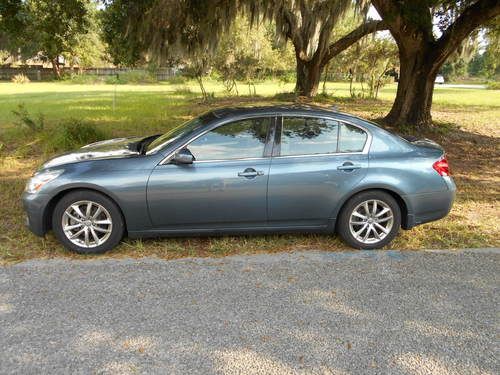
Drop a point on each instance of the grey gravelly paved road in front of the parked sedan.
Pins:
(379, 312)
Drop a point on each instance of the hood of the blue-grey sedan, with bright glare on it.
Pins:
(112, 148)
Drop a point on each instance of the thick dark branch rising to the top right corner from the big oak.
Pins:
(472, 17)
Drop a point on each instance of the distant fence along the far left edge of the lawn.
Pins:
(46, 74)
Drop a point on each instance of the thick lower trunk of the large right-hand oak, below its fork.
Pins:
(412, 105)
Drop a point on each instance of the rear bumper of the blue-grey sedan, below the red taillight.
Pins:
(423, 208)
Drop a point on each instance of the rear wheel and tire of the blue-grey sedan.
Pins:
(387, 215)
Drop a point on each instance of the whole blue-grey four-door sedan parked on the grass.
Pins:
(243, 170)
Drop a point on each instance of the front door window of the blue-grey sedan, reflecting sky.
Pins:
(241, 139)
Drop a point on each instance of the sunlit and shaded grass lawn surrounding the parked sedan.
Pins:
(467, 123)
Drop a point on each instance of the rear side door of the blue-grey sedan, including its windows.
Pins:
(315, 162)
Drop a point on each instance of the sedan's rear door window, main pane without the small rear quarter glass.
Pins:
(308, 135)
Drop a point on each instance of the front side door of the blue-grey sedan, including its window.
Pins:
(226, 185)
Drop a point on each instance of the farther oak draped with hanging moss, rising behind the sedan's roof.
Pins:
(162, 26)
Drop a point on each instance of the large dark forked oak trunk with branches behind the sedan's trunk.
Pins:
(423, 51)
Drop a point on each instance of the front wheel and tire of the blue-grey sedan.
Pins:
(95, 233)
